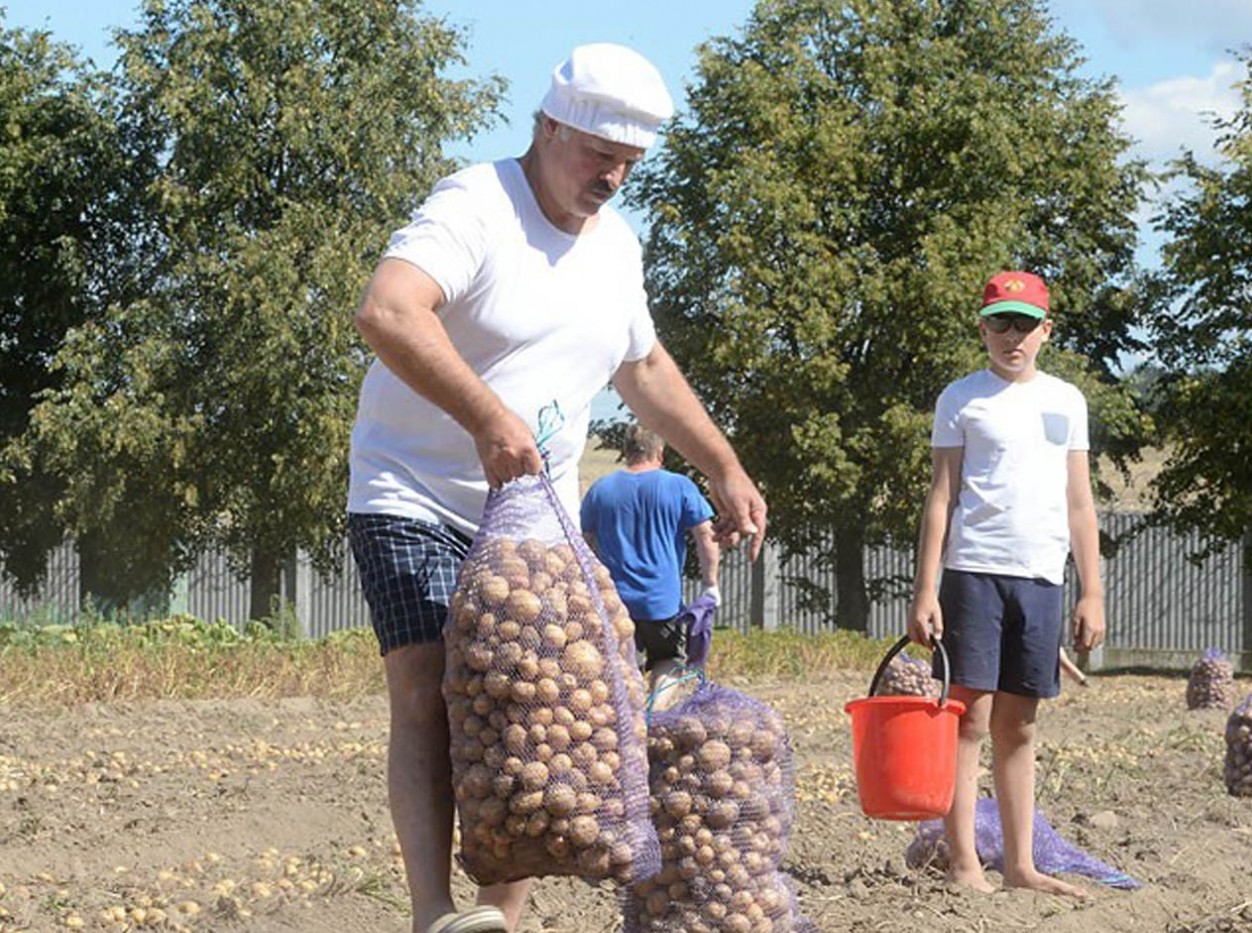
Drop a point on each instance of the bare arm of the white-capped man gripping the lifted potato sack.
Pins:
(398, 319)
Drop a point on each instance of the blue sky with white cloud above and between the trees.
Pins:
(1174, 61)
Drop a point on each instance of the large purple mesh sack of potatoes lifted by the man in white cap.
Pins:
(545, 703)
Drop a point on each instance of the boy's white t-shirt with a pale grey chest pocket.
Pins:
(1012, 512)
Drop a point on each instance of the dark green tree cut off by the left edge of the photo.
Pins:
(66, 217)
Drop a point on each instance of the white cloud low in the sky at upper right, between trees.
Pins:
(1178, 113)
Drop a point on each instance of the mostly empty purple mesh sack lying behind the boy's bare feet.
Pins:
(1052, 853)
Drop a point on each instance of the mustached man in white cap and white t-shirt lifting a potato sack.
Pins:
(514, 286)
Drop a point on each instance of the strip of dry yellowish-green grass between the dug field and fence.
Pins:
(187, 659)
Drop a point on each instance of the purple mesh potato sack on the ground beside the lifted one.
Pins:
(724, 802)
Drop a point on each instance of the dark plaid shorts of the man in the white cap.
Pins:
(409, 573)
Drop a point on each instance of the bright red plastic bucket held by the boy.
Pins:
(905, 748)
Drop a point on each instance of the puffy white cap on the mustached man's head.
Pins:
(610, 92)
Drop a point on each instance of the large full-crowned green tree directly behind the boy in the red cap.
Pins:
(826, 215)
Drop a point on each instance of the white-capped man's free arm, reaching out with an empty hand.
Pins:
(663, 400)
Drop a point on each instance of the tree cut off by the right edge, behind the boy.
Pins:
(1204, 338)
